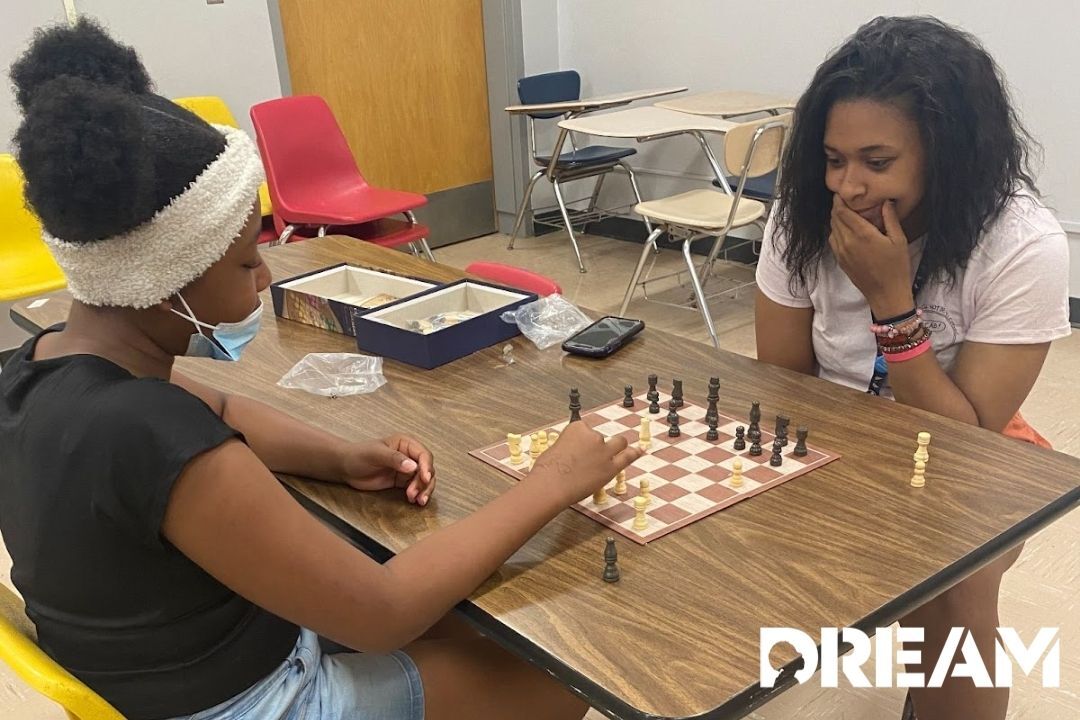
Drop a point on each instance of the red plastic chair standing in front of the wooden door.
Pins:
(315, 182)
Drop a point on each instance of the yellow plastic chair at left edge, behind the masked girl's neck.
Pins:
(26, 266)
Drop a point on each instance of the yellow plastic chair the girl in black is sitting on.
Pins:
(21, 653)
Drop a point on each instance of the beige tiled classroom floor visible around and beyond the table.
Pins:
(1042, 590)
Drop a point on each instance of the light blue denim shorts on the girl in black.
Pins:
(317, 685)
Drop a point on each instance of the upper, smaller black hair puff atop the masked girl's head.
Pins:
(84, 50)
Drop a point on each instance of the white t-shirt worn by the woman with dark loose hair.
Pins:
(1015, 291)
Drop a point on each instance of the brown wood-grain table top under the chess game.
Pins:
(849, 545)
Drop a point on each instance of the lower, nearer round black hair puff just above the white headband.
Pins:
(90, 172)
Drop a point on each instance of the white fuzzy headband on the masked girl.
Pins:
(151, 264)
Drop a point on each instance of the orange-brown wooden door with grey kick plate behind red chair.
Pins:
(408, 84)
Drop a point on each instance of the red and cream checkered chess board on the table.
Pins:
(690, 477)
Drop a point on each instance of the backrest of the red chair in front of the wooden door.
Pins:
(304, 151)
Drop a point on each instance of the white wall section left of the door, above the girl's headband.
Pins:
(194, 49)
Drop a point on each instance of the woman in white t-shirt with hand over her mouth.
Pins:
(910, 256)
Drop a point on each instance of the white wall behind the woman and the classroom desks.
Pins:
(775, 46)
